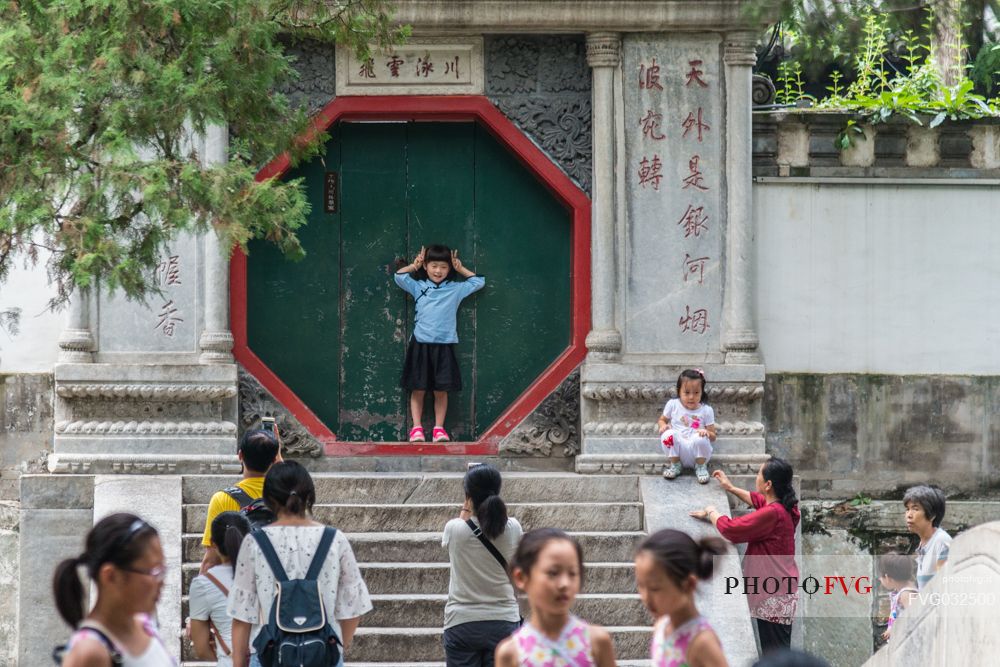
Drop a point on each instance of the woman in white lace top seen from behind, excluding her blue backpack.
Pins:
(295, 537)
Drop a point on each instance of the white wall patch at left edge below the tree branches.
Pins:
(35, 348)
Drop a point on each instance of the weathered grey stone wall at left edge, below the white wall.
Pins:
(27, 418)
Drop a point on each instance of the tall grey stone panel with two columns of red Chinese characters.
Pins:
(673, 112)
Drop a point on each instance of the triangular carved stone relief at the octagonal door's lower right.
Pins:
(553, 427)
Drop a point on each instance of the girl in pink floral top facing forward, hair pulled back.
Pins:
(548, 568)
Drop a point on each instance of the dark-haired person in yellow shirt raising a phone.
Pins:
(257, 450)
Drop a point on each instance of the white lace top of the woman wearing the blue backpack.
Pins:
(345, 594)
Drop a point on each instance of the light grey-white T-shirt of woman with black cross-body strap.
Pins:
(479, 589)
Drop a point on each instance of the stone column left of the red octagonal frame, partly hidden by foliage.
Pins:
(216, 340)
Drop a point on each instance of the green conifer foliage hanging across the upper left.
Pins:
(98, 102)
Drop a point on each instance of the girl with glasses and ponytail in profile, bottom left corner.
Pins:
(124, 559)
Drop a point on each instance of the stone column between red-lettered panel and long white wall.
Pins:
(739, 339)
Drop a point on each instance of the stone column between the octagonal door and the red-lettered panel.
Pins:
(604, 341)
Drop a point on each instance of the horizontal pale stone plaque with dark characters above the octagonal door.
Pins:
(422, 67)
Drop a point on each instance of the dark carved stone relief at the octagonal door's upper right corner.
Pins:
(542, 83)
